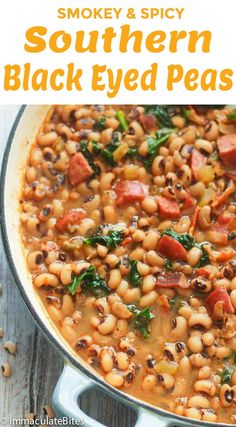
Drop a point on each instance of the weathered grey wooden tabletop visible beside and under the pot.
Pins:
(36, 365)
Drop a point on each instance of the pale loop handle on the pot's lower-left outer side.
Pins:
(72, 384)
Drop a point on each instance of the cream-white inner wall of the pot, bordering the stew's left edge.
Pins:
(25, 134)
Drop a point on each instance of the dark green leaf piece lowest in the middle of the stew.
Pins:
(140, 319)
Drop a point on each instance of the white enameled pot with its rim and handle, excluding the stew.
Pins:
(77, 376)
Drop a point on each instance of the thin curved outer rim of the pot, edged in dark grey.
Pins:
(131, 400)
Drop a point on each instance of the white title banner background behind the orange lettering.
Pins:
(214, 15)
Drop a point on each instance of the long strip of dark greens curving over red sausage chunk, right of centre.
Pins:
(188, 242)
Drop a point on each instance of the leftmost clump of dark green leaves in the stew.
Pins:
(89, 281)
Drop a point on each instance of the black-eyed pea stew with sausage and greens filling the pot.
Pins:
(129, 232)
